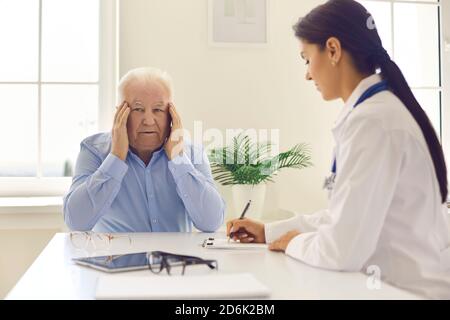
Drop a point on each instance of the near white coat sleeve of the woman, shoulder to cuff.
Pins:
(368, 164)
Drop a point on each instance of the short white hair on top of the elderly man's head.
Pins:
(146, 75)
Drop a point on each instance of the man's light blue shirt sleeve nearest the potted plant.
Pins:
(195, 186)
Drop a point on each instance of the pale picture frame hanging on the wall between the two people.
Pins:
(236, 23)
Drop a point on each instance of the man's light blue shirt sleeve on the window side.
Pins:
(94, 187)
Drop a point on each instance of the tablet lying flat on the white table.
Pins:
(116, 263)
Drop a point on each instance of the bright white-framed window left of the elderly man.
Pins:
(57, 84)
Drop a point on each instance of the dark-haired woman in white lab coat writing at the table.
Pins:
(388, 182)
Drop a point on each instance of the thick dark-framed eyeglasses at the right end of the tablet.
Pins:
(175, 264)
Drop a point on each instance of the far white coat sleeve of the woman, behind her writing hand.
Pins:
(301, 222)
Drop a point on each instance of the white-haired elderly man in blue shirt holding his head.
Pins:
(143, 177)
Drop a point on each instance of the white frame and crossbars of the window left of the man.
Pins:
(108, 72)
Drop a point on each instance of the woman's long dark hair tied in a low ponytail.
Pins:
(353, 25)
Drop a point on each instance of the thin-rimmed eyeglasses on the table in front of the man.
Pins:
(84, 239)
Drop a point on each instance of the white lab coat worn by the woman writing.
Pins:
(385, 208)
